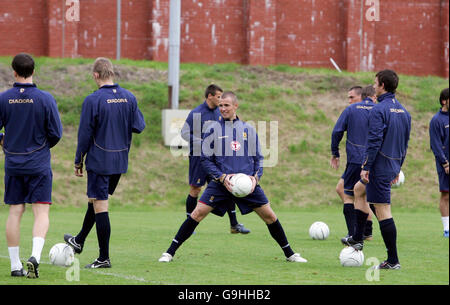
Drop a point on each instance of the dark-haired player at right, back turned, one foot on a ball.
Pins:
(389, 131)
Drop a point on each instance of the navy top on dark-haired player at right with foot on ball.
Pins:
(389, 131)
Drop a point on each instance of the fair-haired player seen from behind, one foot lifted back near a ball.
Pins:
(109, 116)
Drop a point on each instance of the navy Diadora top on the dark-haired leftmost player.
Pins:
(32, 126)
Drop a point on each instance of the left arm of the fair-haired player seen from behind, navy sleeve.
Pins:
(85, 134)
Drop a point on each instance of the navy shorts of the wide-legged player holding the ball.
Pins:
(219, 198)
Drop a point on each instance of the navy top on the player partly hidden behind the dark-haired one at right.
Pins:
(355, 120)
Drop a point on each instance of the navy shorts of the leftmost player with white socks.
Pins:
(29, 189)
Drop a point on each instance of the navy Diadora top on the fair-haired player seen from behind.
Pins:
(109, 116)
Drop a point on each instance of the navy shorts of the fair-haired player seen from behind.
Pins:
(100, 186)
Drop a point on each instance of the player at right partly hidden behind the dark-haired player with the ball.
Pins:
(354, 121)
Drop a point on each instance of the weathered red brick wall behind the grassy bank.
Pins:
(411, 37)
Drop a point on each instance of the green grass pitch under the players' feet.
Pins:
(213, 256)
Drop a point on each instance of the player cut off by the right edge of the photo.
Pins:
(439, 145)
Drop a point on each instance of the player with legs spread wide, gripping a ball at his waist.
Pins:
(231, 147)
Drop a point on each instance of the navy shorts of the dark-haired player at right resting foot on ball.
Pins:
(378, 189)
